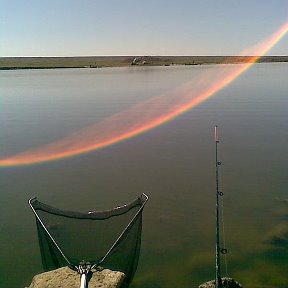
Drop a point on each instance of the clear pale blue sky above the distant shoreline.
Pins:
(132, 27)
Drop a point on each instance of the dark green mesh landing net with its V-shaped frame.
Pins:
(107, 239)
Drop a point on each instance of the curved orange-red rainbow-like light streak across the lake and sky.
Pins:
(145, 115)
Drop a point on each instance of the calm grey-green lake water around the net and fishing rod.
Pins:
(173, 164)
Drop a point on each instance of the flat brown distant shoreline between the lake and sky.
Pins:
(12, 63)
